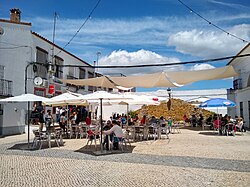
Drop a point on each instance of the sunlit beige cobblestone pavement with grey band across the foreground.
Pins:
(192, 158)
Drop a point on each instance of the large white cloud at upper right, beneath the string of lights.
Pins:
(210, 44)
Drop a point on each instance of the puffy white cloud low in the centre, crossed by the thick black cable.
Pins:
(126, 58)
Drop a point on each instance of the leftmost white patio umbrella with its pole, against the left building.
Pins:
(25, 98)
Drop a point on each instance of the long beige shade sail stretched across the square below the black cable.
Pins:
(174, 78)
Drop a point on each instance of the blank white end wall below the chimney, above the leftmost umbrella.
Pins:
(15, 53)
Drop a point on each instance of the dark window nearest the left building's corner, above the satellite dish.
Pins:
(41, 57)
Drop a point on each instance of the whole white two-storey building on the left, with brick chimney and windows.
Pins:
(30, 63)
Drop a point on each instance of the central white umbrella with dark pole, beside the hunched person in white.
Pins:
(102, 96)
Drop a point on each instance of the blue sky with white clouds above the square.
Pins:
(133, 32)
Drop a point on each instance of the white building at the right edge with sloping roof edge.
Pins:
(240, 93)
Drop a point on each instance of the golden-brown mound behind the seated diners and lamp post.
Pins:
(179, 108)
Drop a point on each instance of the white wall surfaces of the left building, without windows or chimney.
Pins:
(18, 49)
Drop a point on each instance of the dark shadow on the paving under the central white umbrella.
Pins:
(95, 151)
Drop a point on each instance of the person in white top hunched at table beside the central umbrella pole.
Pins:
(116, 131)
